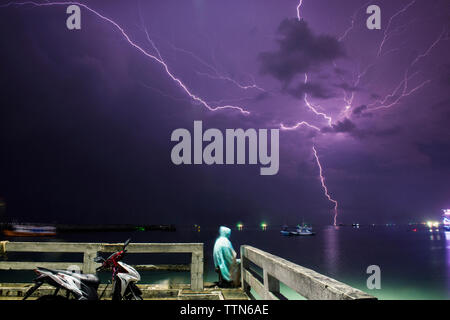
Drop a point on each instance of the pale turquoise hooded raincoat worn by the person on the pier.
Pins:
(224, 254)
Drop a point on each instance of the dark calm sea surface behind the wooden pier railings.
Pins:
(414, 265)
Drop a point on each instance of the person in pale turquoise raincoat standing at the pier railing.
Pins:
(225, 262)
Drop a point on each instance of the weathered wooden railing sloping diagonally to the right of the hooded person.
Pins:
(306, 282)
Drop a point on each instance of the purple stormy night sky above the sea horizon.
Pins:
(86, 117)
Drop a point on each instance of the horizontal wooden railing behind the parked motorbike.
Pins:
(90, 251)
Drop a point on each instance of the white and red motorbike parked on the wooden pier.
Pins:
(84, 286)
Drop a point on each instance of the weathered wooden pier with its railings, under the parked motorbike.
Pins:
(261, 273)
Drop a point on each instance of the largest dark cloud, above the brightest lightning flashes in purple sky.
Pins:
(300, 50)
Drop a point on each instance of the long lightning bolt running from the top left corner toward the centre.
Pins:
(158, 58)
